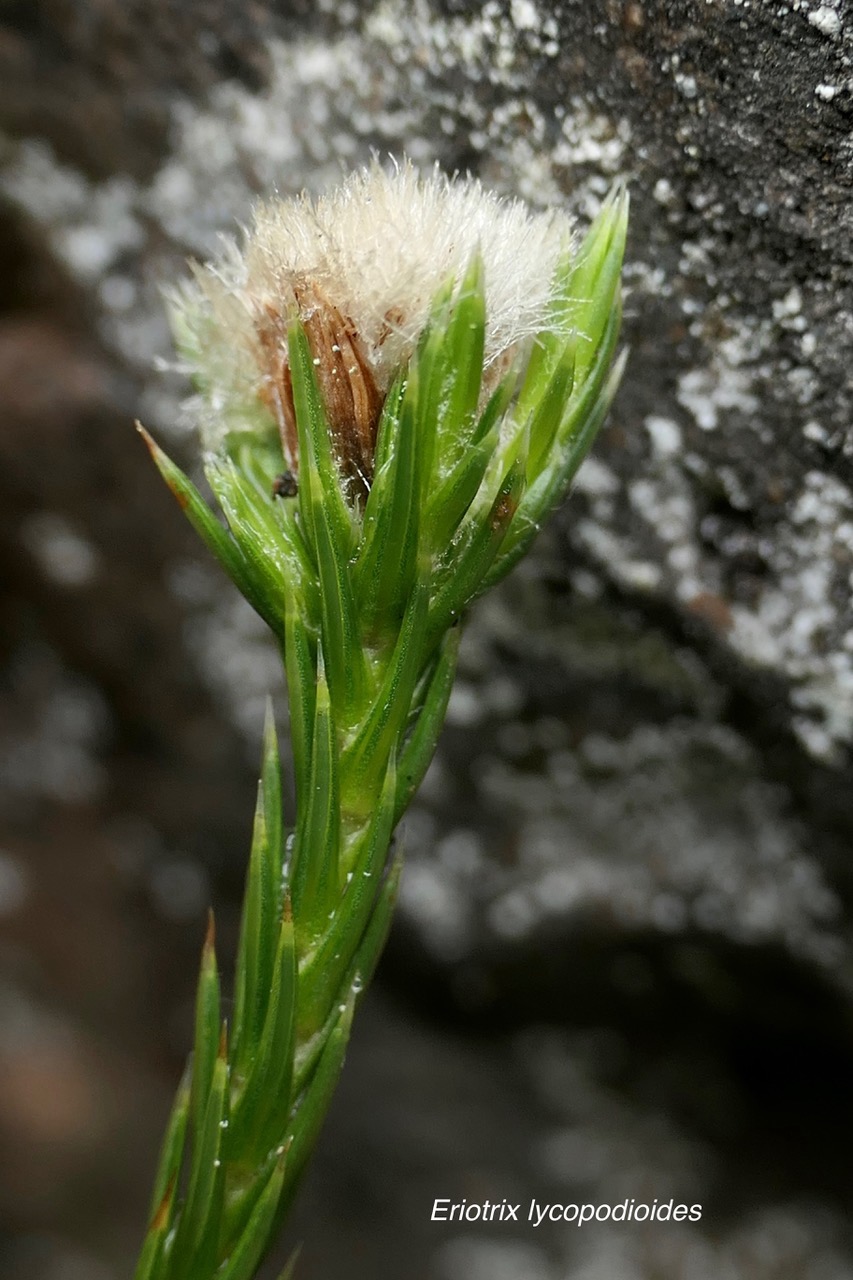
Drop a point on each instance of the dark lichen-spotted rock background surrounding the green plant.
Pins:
(622, 964)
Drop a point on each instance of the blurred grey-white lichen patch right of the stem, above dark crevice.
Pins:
(630, 829)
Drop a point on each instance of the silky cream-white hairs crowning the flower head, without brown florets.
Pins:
(378, 249)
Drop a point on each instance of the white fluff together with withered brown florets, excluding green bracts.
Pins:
(362, 269)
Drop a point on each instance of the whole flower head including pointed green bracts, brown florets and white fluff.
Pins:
(396, 386)
